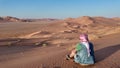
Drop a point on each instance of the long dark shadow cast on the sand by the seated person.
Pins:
(103, 53)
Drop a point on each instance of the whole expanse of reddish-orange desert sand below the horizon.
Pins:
(45, 45)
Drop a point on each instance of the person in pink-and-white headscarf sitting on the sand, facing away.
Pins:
(84, 52)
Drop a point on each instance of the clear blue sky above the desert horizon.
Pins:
(59, 8)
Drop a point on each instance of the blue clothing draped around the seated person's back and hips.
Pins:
(82, 55)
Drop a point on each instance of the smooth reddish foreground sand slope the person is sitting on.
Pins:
(107, 51)
